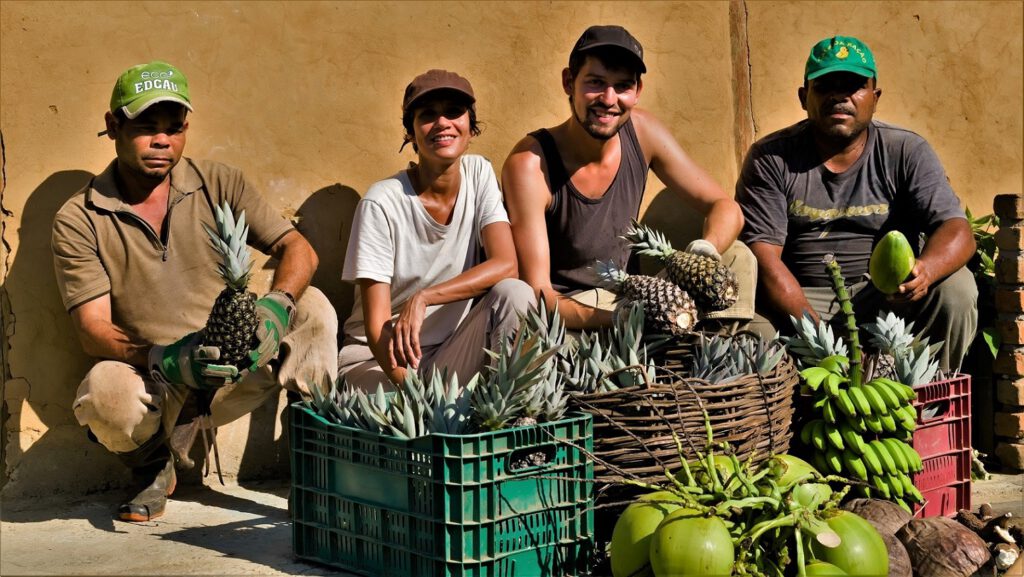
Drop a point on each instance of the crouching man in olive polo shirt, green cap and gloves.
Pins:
(139, 276)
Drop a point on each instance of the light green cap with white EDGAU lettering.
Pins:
(144, 86)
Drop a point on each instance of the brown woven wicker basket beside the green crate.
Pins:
(633, 427)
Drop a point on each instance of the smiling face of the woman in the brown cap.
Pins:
(442, 128)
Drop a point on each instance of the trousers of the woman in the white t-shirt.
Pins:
(493, 318)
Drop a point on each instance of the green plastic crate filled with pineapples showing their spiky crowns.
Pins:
(491, 477)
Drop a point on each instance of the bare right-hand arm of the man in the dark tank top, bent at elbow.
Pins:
(723, 219)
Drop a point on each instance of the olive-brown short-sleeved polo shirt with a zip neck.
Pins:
(161, 288)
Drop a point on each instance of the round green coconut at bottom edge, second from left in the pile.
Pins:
(690, 545)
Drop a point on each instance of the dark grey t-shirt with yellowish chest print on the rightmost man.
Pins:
(790, 198)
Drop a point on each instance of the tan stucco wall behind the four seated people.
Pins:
(306, 99)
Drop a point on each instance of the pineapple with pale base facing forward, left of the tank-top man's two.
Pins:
(668, 309)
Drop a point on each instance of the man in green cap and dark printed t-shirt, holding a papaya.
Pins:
(835, 184)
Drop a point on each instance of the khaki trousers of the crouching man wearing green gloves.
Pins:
(124, 408)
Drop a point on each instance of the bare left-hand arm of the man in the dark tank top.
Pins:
(527, 196)
